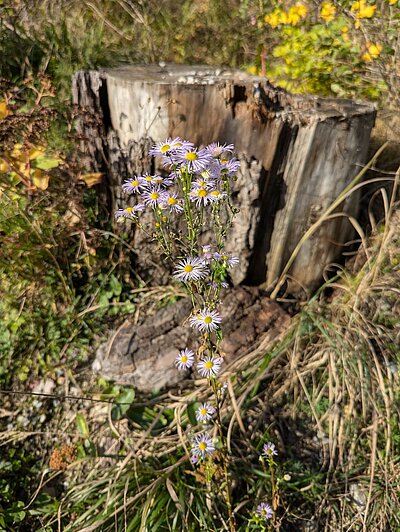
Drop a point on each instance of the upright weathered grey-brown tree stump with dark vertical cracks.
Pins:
(297, 153)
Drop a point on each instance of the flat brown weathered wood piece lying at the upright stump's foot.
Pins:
(143, 355)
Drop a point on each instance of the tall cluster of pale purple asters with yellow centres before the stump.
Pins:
(195, 189)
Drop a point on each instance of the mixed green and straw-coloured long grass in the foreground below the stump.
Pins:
(327, 391)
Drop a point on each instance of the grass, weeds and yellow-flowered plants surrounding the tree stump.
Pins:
(326, 393)
